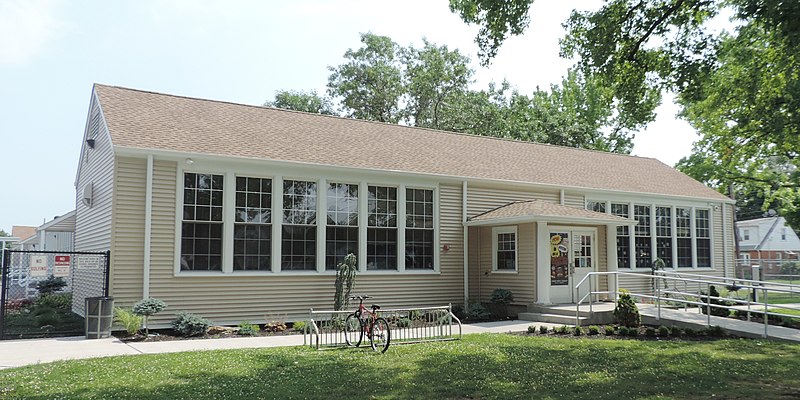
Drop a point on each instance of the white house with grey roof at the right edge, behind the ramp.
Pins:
(767, 242)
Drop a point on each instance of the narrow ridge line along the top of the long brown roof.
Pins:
(440, 131)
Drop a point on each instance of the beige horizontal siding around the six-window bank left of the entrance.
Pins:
(231, 298)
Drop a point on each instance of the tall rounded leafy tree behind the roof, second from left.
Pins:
(370, 83)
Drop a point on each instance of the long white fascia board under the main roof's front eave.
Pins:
(455, 179)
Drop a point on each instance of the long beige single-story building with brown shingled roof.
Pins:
(239, 212)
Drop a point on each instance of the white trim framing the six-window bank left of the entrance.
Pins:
(233, 169)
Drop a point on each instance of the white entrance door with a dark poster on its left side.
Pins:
(572, 257)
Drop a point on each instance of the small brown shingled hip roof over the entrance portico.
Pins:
(541, 211)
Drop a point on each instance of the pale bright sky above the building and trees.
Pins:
(52, 51)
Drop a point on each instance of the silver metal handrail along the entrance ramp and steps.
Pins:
(707, 280)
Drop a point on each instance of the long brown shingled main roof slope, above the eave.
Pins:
(147, 120)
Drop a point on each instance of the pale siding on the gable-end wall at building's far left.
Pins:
(93, 223)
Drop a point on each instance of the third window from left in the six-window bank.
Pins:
(299, 241)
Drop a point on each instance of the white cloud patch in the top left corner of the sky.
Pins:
(26, 28)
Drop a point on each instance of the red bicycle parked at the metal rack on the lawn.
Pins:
(365, 322)
